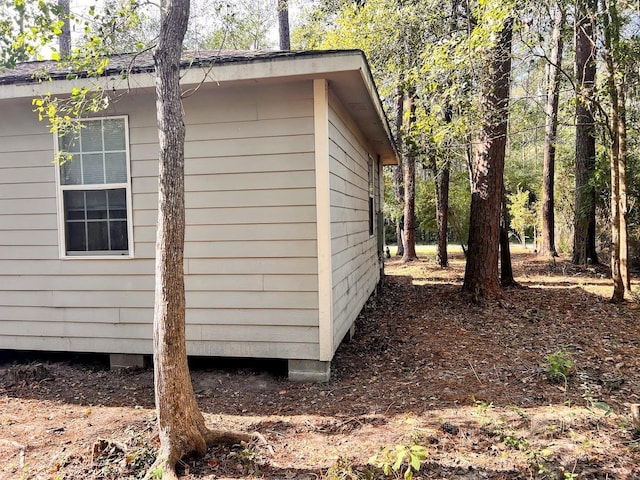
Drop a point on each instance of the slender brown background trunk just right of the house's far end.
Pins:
(409, 170)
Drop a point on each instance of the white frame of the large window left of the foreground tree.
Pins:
(60, 189)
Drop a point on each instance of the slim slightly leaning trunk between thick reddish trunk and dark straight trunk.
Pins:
(547, 238)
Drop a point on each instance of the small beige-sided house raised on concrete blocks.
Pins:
(283, 174)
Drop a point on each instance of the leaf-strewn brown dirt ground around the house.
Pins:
(466, 381)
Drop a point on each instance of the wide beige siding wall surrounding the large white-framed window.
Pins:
(250, 251)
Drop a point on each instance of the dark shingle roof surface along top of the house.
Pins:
(130, 63)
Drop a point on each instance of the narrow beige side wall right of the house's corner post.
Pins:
(354, 252)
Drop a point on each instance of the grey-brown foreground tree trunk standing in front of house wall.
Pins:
(181, 426)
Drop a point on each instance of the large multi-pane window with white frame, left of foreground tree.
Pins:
(94, 189)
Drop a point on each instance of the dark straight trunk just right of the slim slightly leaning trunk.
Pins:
(584, 234)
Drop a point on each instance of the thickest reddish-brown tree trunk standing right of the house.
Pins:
(481, 277)
